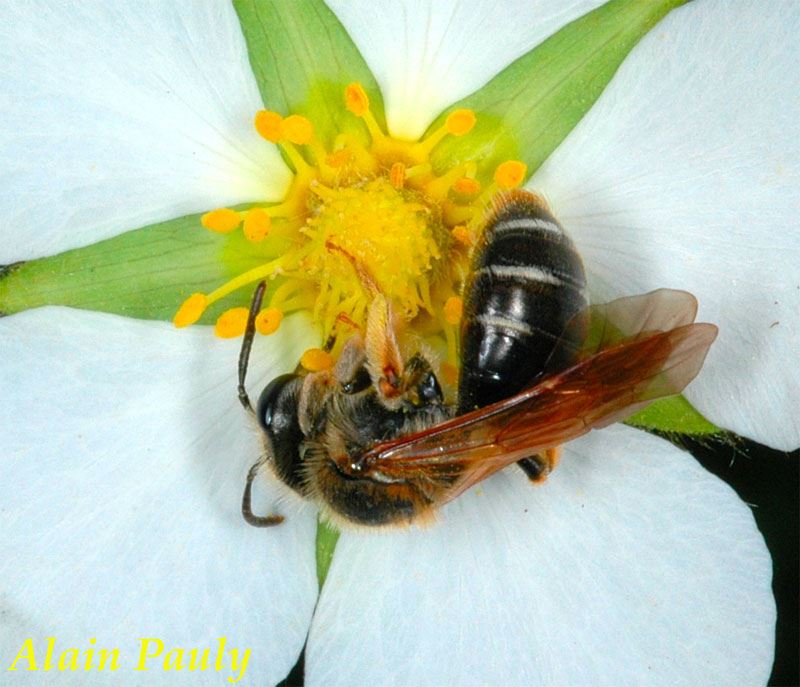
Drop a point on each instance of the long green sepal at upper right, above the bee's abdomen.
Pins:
(529, 108)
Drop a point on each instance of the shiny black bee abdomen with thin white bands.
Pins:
(527, 282)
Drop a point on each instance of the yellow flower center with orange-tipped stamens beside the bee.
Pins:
(360, 220)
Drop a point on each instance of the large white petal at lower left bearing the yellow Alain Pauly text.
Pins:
(124, 457)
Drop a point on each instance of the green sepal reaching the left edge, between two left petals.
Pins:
(145, 273)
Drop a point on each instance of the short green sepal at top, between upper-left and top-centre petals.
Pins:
(302, 59)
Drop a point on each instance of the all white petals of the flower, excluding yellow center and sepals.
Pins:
(125, 450)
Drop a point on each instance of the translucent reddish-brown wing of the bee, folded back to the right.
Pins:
(607, 387)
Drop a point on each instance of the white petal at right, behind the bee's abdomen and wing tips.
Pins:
(685, 175)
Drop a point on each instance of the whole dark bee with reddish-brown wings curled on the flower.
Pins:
(374, 443)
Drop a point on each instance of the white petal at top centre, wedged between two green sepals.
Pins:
(426, 54)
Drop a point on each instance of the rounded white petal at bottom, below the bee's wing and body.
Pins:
(631, 565)
